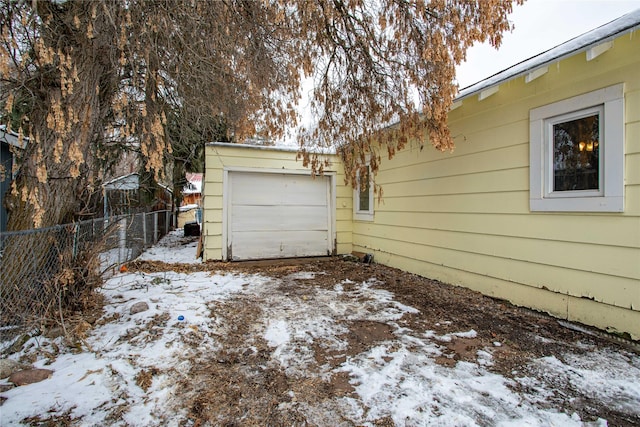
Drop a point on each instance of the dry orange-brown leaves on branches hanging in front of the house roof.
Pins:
(385, 74)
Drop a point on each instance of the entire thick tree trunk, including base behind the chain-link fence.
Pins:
(73, 97)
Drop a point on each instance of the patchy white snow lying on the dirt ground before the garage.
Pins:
(103, 384)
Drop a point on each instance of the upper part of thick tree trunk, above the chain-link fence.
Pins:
(68, 118)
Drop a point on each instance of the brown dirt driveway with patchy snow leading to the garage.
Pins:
(321, 343)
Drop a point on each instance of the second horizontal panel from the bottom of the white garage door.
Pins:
(264, 218)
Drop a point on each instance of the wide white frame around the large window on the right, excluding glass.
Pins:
(609, 197)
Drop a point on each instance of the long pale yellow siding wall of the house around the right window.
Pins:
(464, 217)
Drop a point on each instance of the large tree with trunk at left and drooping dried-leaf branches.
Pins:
(94, 72)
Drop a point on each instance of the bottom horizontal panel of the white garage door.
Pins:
(280, 244)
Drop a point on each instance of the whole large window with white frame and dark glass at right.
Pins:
(577, 153)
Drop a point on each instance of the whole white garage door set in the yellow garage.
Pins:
(276, 215)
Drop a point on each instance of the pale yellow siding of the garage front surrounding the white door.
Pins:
(222, 157)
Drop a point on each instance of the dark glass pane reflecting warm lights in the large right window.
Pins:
(576, 148)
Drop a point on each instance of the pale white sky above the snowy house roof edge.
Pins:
(539, 26)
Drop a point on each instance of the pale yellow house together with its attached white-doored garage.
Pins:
(538, 205)
